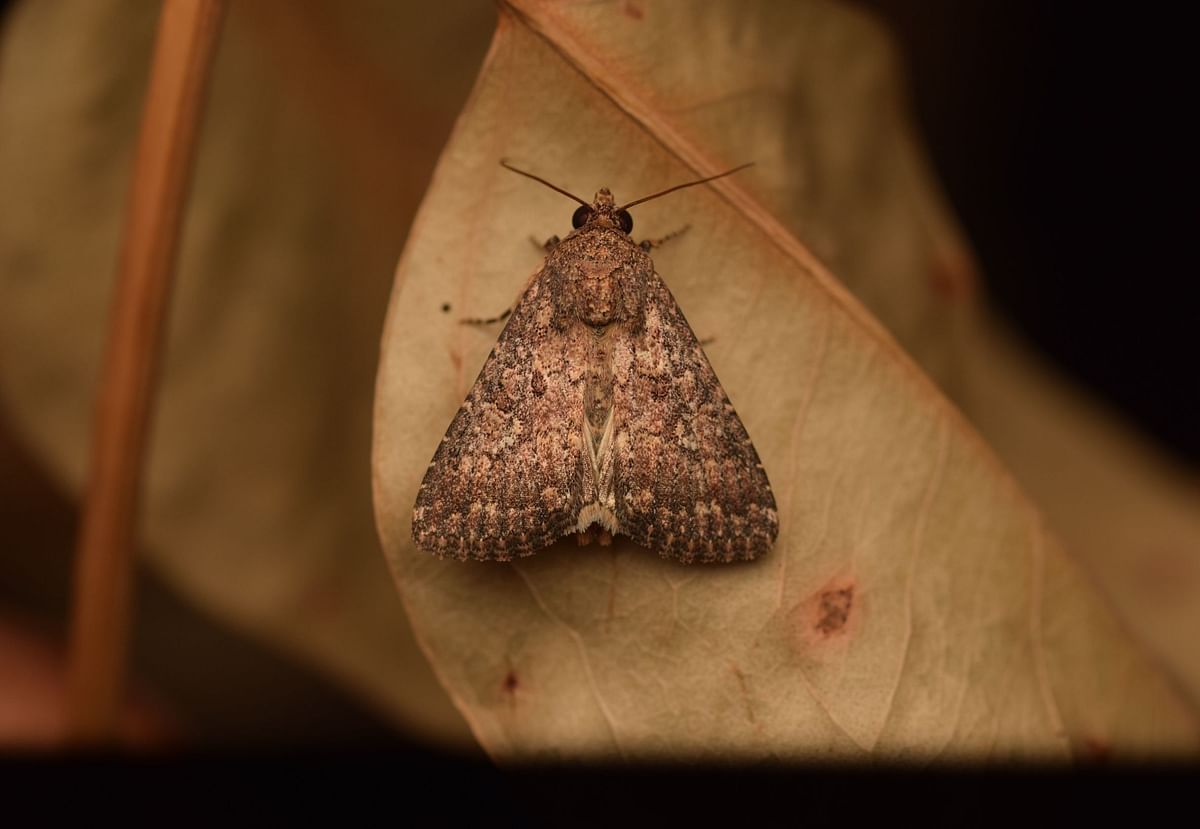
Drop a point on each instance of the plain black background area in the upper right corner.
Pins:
(1065, 137)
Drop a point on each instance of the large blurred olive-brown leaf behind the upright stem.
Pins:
(257, 503)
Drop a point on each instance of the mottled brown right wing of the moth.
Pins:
(688, 482)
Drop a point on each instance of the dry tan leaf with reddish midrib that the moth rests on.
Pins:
(915, 605)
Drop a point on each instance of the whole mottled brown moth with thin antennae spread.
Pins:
(597, 412)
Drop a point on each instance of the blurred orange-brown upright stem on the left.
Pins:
(101, 611)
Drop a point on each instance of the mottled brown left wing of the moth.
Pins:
(511, 473)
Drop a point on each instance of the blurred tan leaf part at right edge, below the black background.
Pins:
(1131, 515)
